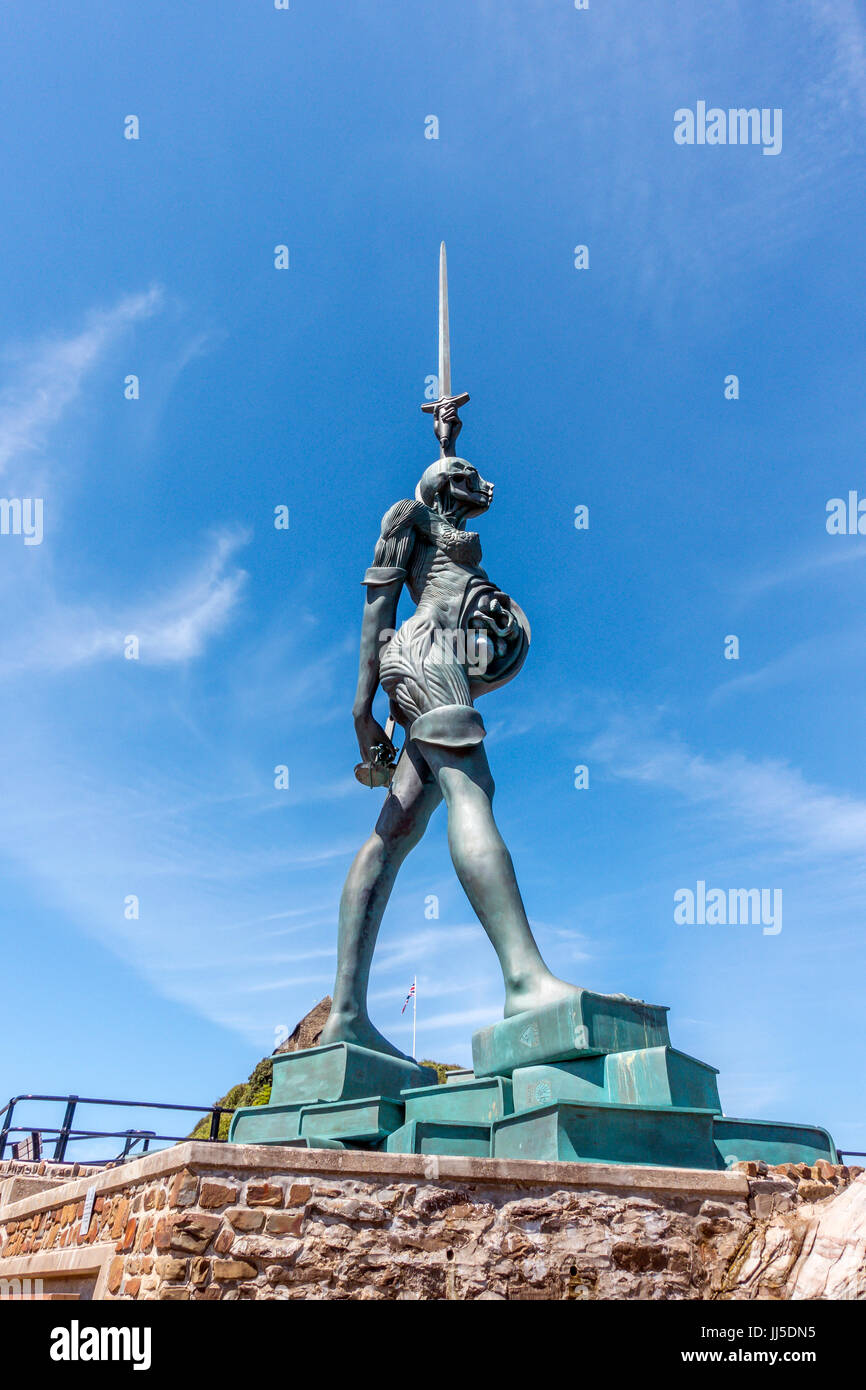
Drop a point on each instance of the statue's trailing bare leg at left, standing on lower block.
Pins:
(412, 800)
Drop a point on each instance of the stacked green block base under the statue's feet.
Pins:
(589, 1079)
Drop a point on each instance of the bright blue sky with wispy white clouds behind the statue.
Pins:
(262, 389)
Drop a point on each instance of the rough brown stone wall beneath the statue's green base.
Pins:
(226, 1223)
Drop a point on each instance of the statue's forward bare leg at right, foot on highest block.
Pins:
(487, 874)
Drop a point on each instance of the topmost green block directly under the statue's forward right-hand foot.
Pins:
(583, 1025)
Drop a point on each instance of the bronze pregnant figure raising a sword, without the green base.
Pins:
(465, 639)
